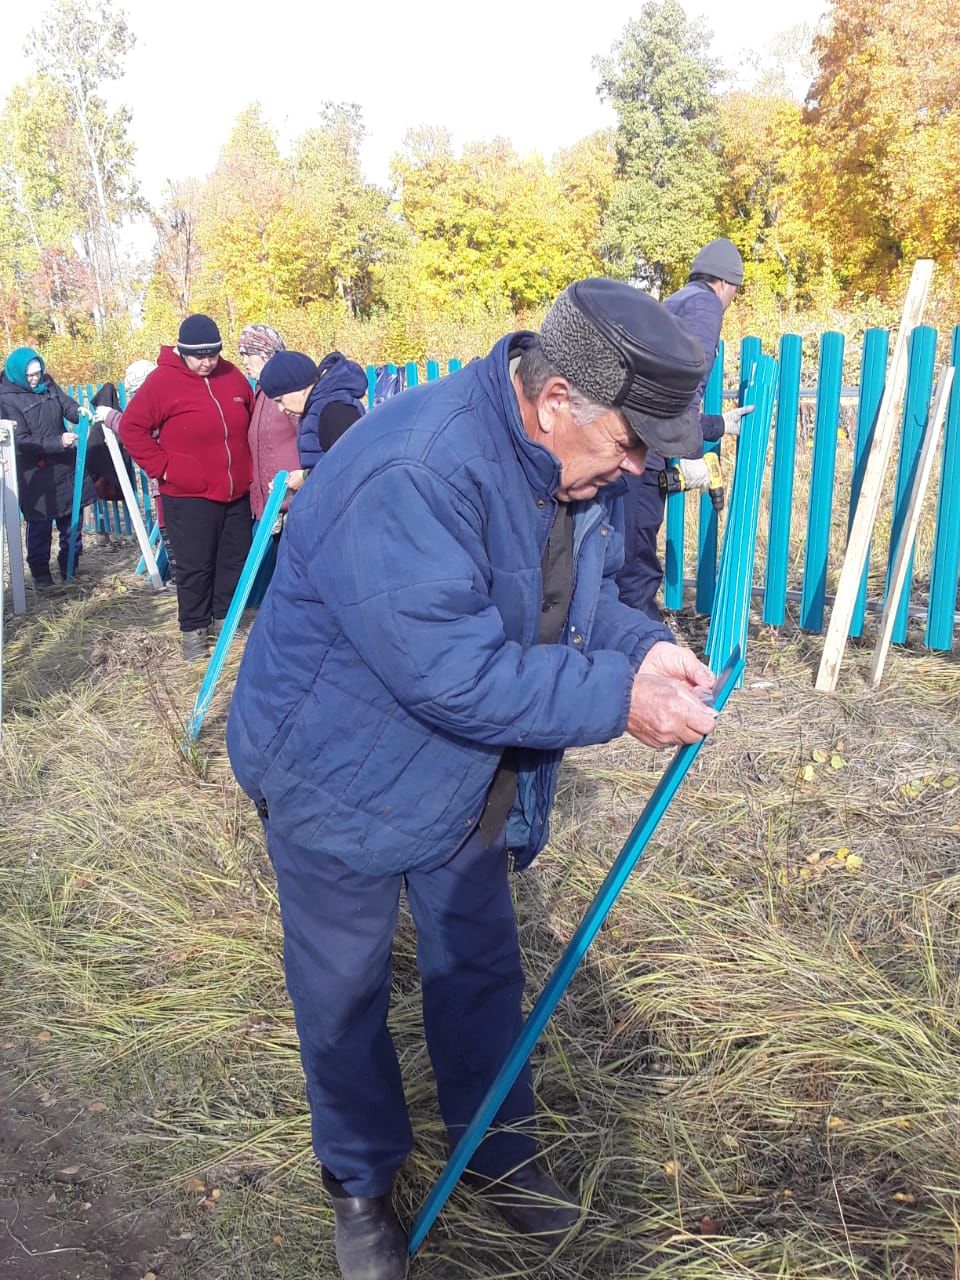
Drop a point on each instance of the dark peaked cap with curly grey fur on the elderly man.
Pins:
(623, 349)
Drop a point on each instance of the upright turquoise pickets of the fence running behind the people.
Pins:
(940, 611)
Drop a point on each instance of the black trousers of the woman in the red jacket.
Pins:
(211, 542)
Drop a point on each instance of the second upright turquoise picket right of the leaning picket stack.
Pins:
(825, 464)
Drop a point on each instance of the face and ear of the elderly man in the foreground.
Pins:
(591, 456)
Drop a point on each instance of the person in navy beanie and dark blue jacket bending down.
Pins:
(327, 399)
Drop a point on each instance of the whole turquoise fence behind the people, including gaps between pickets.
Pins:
(811, 482)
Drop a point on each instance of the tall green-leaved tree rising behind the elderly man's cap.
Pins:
(662, 85)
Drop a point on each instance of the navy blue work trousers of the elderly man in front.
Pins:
(339, 931)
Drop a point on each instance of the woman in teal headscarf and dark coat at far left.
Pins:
(47, 460)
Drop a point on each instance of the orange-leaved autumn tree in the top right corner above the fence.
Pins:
(885, 121)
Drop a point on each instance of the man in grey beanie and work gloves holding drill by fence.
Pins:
(716, 275)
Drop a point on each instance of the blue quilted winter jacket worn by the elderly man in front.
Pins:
(397, 652)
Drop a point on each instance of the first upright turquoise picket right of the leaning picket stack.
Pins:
(775, 596)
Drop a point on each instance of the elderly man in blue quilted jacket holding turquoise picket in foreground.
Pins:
(442, 624)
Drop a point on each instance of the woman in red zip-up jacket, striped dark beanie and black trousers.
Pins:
(188, 428)
